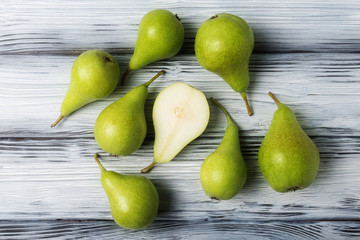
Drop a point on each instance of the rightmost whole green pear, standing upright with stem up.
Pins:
(288, 158)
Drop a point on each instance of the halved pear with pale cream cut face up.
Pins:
(180, 114)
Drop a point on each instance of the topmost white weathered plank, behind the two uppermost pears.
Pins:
(71, 26)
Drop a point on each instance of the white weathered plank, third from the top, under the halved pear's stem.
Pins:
(52, 179)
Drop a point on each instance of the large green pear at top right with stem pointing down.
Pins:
(223, 45)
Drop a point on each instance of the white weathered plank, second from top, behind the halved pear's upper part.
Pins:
(322, 89)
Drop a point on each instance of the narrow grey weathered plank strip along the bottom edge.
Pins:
(178, 229)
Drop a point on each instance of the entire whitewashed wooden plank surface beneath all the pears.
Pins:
(307, 53)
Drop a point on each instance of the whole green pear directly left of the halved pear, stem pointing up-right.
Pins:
(120, 128)
